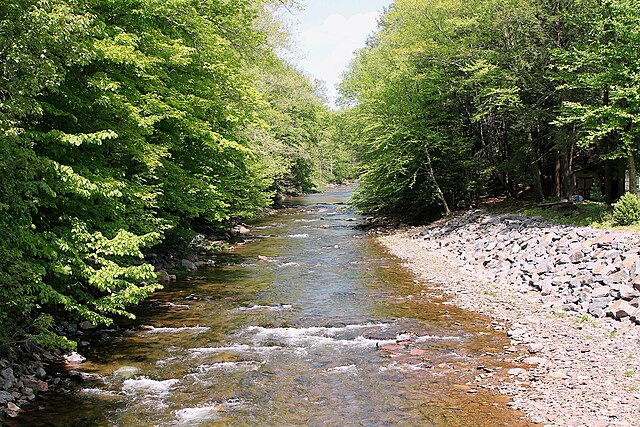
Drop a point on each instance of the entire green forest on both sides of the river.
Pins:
(132, 124)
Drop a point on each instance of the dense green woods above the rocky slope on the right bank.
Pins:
(452, 100)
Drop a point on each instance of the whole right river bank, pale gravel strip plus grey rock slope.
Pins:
(552, 284)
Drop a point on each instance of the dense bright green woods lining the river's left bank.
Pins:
(126, 124)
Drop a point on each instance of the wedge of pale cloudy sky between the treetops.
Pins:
(327, 32)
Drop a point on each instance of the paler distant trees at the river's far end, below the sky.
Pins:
(294, 139)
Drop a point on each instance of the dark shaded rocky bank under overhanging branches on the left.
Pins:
(29, 370)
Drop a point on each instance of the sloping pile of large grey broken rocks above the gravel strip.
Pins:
(577, 268)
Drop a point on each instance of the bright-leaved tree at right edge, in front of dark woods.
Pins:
(603, 66)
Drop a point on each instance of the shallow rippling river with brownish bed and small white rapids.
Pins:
(310, 324)
